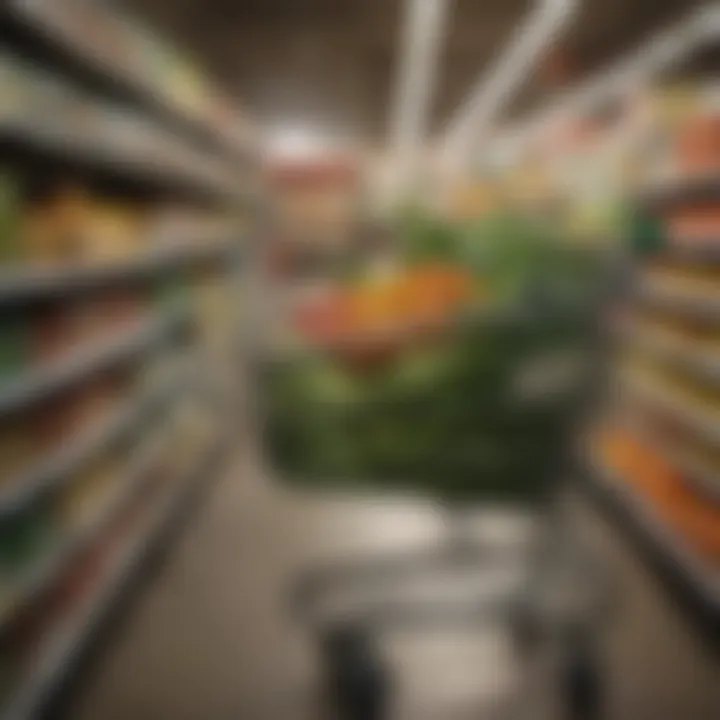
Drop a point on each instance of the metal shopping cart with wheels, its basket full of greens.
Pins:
(485, 413)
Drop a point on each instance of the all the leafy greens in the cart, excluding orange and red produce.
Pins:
(447, 418)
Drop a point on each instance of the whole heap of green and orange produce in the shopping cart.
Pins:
(421, 377)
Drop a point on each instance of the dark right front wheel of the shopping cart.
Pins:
(582, 679)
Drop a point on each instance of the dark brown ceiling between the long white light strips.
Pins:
(330, 64)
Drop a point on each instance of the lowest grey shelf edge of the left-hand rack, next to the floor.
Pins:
(62, 651)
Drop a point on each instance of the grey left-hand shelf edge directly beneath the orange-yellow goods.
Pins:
(20, 285)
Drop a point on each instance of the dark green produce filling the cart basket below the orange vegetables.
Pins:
(445, 415)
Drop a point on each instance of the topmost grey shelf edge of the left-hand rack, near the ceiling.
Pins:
(47, 31)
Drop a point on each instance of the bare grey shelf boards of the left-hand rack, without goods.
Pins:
(205, 162)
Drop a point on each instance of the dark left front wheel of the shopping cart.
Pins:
(357, 678)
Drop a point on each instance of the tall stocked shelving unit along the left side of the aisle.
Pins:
(124, 131)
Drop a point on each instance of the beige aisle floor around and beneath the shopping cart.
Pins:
(210, 639)
